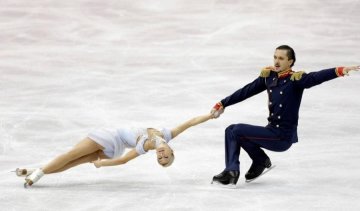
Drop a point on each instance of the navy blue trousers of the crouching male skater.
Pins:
(251, 139)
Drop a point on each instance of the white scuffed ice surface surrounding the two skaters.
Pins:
(68, 67)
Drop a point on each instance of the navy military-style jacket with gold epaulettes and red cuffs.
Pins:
(285, 92)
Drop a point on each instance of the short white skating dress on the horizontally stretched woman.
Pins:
(116, 140)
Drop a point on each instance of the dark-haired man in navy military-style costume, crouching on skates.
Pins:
(285, 89)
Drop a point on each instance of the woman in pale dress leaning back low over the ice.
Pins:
(104, 147)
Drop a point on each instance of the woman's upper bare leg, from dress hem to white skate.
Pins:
(82, 149)
